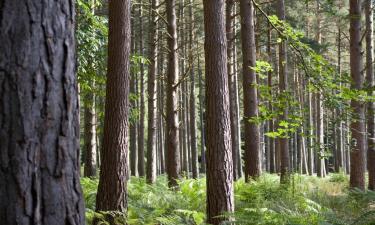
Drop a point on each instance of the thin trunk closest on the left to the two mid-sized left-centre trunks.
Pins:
(141, 130)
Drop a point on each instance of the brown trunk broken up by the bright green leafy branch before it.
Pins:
(283, 86)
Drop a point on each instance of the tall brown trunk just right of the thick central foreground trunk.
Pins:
(252, 167)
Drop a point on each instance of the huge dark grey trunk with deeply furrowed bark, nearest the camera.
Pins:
(39, 115)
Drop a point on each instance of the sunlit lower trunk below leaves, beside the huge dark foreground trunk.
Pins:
(90, 136)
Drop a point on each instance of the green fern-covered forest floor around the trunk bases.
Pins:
(308, 201)
